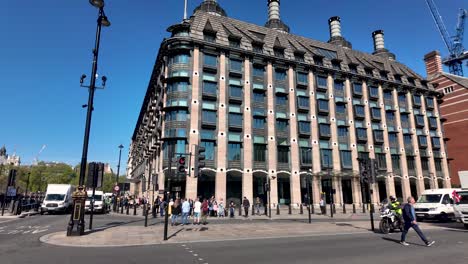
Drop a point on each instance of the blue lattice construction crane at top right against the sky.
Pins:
(454, 44)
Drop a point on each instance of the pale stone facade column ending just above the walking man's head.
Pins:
(405, 183)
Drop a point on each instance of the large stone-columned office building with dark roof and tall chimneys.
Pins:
(270, 105)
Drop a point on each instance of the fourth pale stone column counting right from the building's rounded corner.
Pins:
(272, 148)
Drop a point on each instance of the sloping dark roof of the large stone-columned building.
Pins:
(272, 38)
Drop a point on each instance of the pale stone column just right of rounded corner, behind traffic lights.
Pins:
(195, 113)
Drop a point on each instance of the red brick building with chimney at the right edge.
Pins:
(454, 111)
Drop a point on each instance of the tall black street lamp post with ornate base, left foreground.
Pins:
(80, 195)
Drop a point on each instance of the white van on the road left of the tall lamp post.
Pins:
(58, 198)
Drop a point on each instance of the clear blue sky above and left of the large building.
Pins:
(46, 45)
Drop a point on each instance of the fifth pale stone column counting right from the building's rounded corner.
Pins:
(295, 183)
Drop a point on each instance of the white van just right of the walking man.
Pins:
(435, 204)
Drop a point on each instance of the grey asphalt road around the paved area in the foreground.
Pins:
(19, 243)
